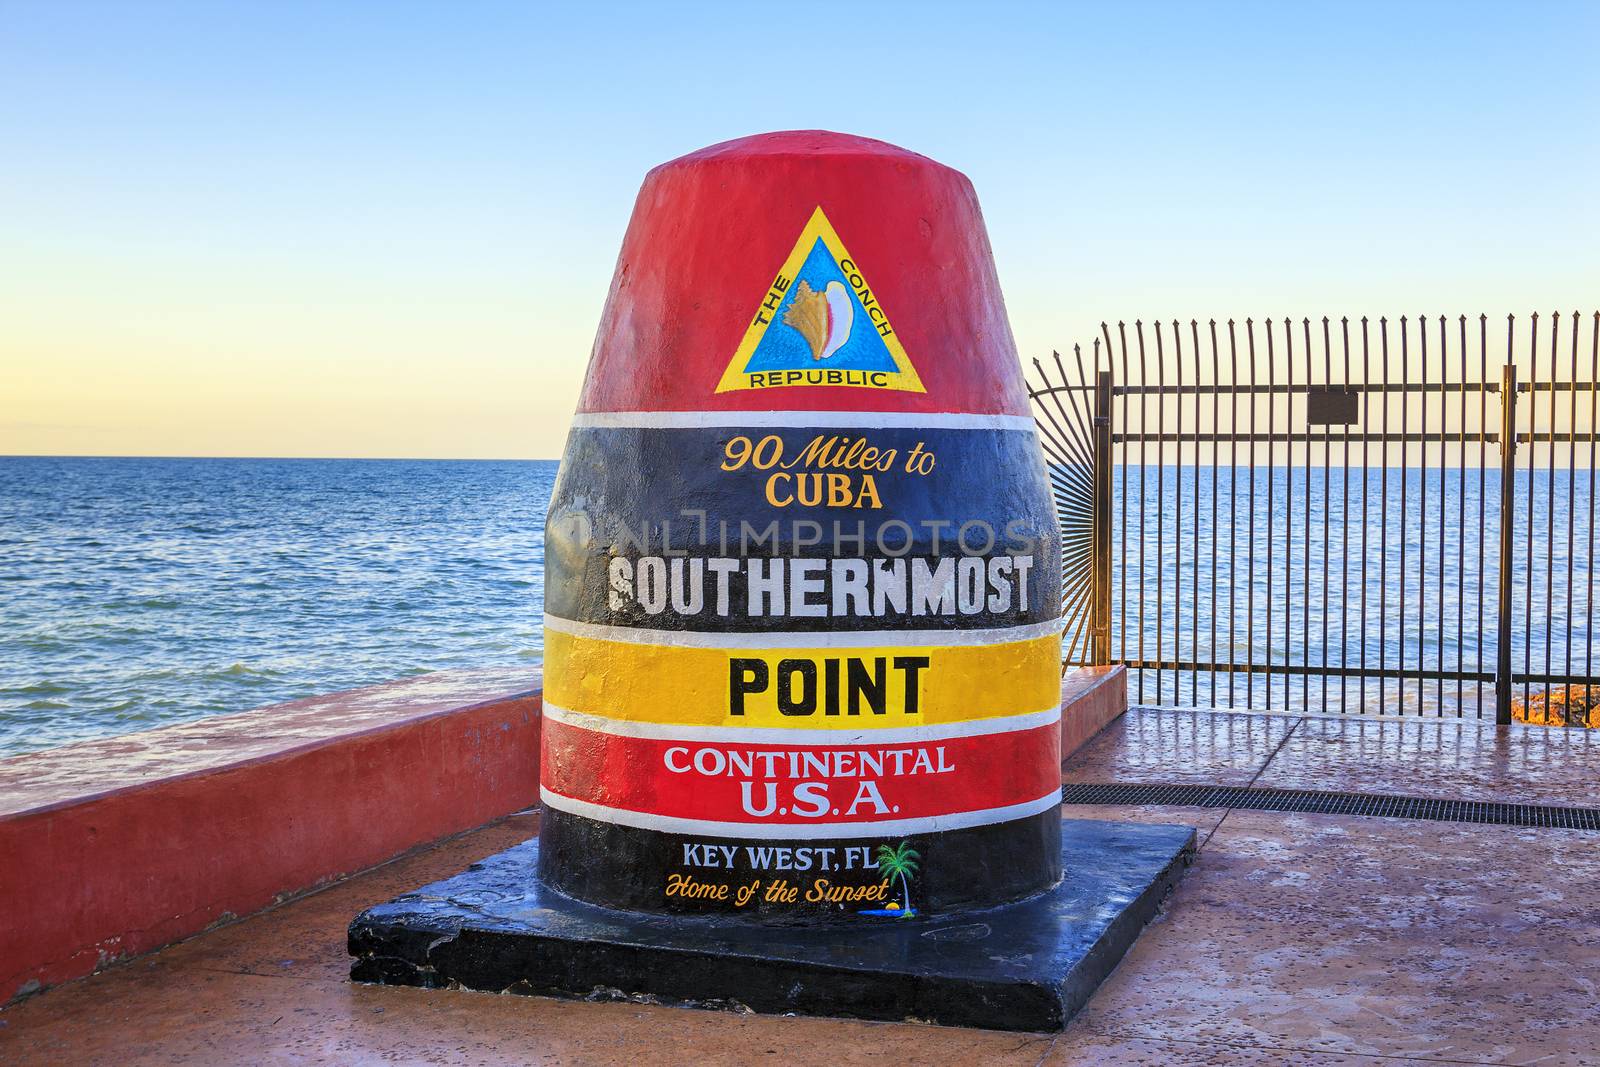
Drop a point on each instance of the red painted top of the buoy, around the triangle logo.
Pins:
(713, 230)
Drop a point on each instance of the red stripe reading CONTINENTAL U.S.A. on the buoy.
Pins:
(729, 781)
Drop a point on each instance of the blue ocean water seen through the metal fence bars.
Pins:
(1380, 570)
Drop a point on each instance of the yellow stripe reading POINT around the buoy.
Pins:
(798, 687)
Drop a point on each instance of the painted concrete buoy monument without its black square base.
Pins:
(802, 589)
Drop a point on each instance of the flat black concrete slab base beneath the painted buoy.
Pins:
(1023, 967)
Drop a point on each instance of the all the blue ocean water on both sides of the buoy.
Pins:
(142, 593)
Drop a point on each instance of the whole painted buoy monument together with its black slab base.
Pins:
(802, 708)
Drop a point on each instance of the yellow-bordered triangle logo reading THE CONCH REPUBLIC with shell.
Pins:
(820, 324)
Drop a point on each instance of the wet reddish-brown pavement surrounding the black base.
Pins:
(1294, 940)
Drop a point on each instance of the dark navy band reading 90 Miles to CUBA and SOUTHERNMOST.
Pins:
(919, 529)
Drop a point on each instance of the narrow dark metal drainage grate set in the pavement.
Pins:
(1334, 804)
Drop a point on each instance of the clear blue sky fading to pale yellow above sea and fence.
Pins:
(388, 228)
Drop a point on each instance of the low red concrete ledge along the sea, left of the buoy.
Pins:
(118, 847)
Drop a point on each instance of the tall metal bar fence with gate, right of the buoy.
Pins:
(1332, 516)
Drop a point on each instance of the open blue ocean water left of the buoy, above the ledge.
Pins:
(143, 593)
